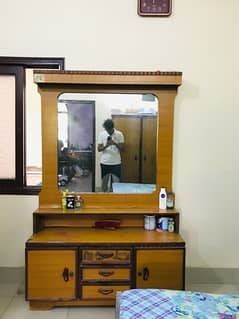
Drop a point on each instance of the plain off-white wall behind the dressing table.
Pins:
(199, 39)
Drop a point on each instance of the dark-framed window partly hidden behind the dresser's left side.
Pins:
(20, 133)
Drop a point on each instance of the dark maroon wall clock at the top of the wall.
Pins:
(154, 7)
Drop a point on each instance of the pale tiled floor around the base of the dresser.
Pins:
(14, 306)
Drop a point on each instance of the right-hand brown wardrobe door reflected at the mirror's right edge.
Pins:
(149, 143)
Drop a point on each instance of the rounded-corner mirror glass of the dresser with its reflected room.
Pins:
(107, 142)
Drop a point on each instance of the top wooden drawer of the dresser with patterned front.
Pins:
(105, 256)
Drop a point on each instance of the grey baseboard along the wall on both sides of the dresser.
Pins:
(193, 275)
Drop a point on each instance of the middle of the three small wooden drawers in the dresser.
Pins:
(106, 274)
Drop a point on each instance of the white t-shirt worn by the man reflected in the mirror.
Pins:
(111, 155)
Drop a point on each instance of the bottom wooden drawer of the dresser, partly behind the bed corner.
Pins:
(101, 292)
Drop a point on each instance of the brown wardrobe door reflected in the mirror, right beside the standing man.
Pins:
(130, 127)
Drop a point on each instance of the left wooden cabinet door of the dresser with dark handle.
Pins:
(51, 274)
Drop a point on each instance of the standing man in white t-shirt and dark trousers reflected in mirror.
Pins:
(110, 144)
